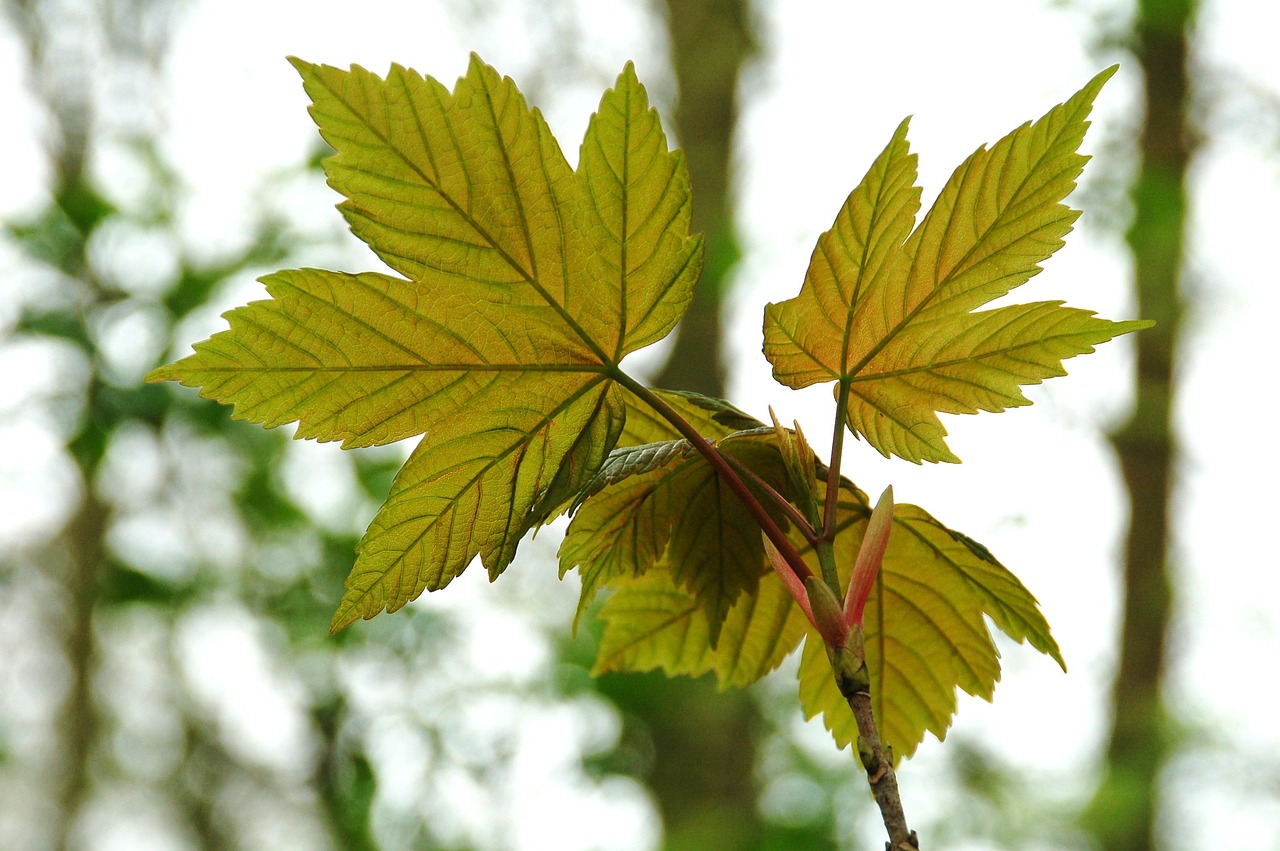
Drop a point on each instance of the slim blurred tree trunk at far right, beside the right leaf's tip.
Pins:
(1126, 808)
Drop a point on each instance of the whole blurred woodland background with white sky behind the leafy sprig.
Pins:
(167, 575)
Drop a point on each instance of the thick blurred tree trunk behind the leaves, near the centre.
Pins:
(705, 743)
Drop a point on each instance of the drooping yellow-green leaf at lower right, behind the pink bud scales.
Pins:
(925, 629)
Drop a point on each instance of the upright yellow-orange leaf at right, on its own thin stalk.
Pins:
(888, 312)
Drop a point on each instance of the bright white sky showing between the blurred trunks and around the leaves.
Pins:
(1037, 486)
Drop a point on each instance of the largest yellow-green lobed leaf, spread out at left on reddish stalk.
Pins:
(524, 286)
